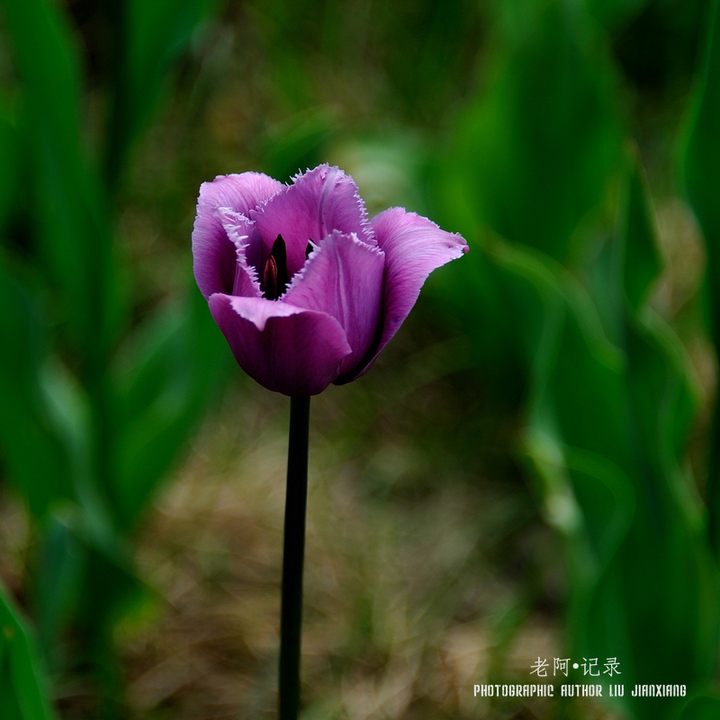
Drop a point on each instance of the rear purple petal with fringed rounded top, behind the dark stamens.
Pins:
(318, 202)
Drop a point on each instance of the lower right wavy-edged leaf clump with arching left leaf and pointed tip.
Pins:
(606, 431)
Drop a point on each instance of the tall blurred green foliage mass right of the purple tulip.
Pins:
(611, 395)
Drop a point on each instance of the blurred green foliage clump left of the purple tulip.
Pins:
(75, 425)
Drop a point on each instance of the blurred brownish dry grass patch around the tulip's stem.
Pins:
(411, 592)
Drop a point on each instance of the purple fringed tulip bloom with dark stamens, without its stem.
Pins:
(306, 289)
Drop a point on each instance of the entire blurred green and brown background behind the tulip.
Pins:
(531, 469)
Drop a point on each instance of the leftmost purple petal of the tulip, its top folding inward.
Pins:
(213, 252)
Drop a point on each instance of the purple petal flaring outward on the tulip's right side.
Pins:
(414, 246)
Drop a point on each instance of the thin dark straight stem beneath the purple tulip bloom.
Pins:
(293, 553)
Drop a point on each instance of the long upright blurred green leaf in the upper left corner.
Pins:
(69, 208)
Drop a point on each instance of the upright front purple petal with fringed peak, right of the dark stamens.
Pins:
(344, 278)
